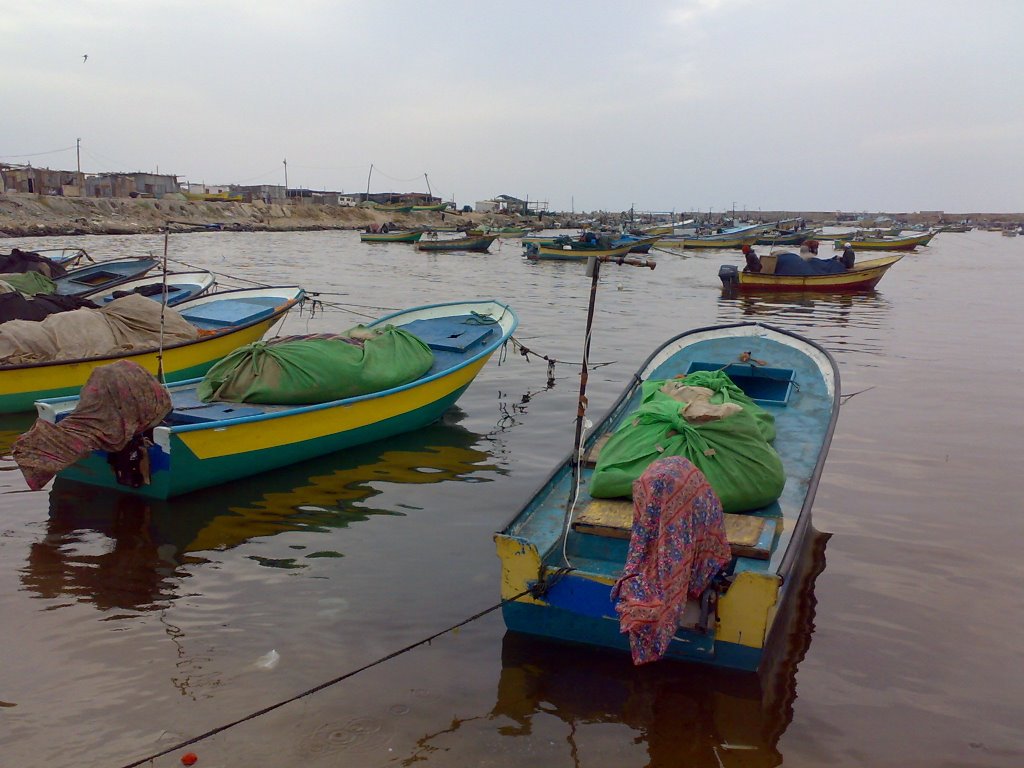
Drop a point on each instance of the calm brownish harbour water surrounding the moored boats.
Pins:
(129, 627)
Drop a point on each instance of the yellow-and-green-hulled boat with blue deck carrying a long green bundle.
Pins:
(199, 445)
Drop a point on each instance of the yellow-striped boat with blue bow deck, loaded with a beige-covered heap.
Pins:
(227, 321)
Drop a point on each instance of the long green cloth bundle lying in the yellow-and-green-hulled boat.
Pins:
(300, 371)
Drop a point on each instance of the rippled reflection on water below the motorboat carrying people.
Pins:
(857, 322)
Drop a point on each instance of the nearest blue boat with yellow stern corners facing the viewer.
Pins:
(565, 551)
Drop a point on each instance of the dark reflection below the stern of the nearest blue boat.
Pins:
(682, 714)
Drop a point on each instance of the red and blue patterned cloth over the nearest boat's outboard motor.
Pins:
(677, 546)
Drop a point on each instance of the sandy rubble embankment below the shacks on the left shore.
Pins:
(29, 216)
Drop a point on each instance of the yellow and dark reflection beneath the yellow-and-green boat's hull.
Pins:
(122, 551)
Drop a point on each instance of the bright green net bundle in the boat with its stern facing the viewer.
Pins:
(734, 452)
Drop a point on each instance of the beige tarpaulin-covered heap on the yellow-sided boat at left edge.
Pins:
(125, 325)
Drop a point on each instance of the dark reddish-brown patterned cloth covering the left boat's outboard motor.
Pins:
(117, 403)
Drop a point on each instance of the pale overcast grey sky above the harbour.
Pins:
(895, 106)
